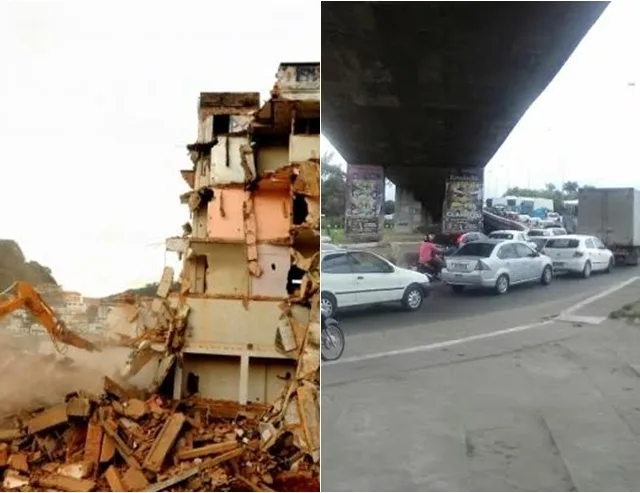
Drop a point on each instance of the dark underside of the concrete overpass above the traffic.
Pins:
(422, 88)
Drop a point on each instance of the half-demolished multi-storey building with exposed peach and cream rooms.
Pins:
(254, 234)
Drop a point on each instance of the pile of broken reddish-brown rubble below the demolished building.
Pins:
(122, 442)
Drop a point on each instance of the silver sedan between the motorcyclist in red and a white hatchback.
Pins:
(496, 264)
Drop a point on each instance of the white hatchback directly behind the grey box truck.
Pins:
(579, 253)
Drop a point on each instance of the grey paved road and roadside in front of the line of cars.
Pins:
(485, 393)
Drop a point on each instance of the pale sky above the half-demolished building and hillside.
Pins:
(97, 104)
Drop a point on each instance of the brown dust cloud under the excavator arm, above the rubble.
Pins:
(33, 374)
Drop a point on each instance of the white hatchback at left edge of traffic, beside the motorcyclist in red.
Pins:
(356, 277)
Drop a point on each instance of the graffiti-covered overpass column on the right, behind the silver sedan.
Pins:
(463, 202)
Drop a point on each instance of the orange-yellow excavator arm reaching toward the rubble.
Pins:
(25, 296)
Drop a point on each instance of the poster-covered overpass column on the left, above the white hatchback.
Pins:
(364, 215)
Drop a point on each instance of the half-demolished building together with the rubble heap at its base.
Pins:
(222, 387)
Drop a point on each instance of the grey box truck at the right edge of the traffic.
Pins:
(613, 215)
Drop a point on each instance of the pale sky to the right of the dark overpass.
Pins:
(586, 124)
